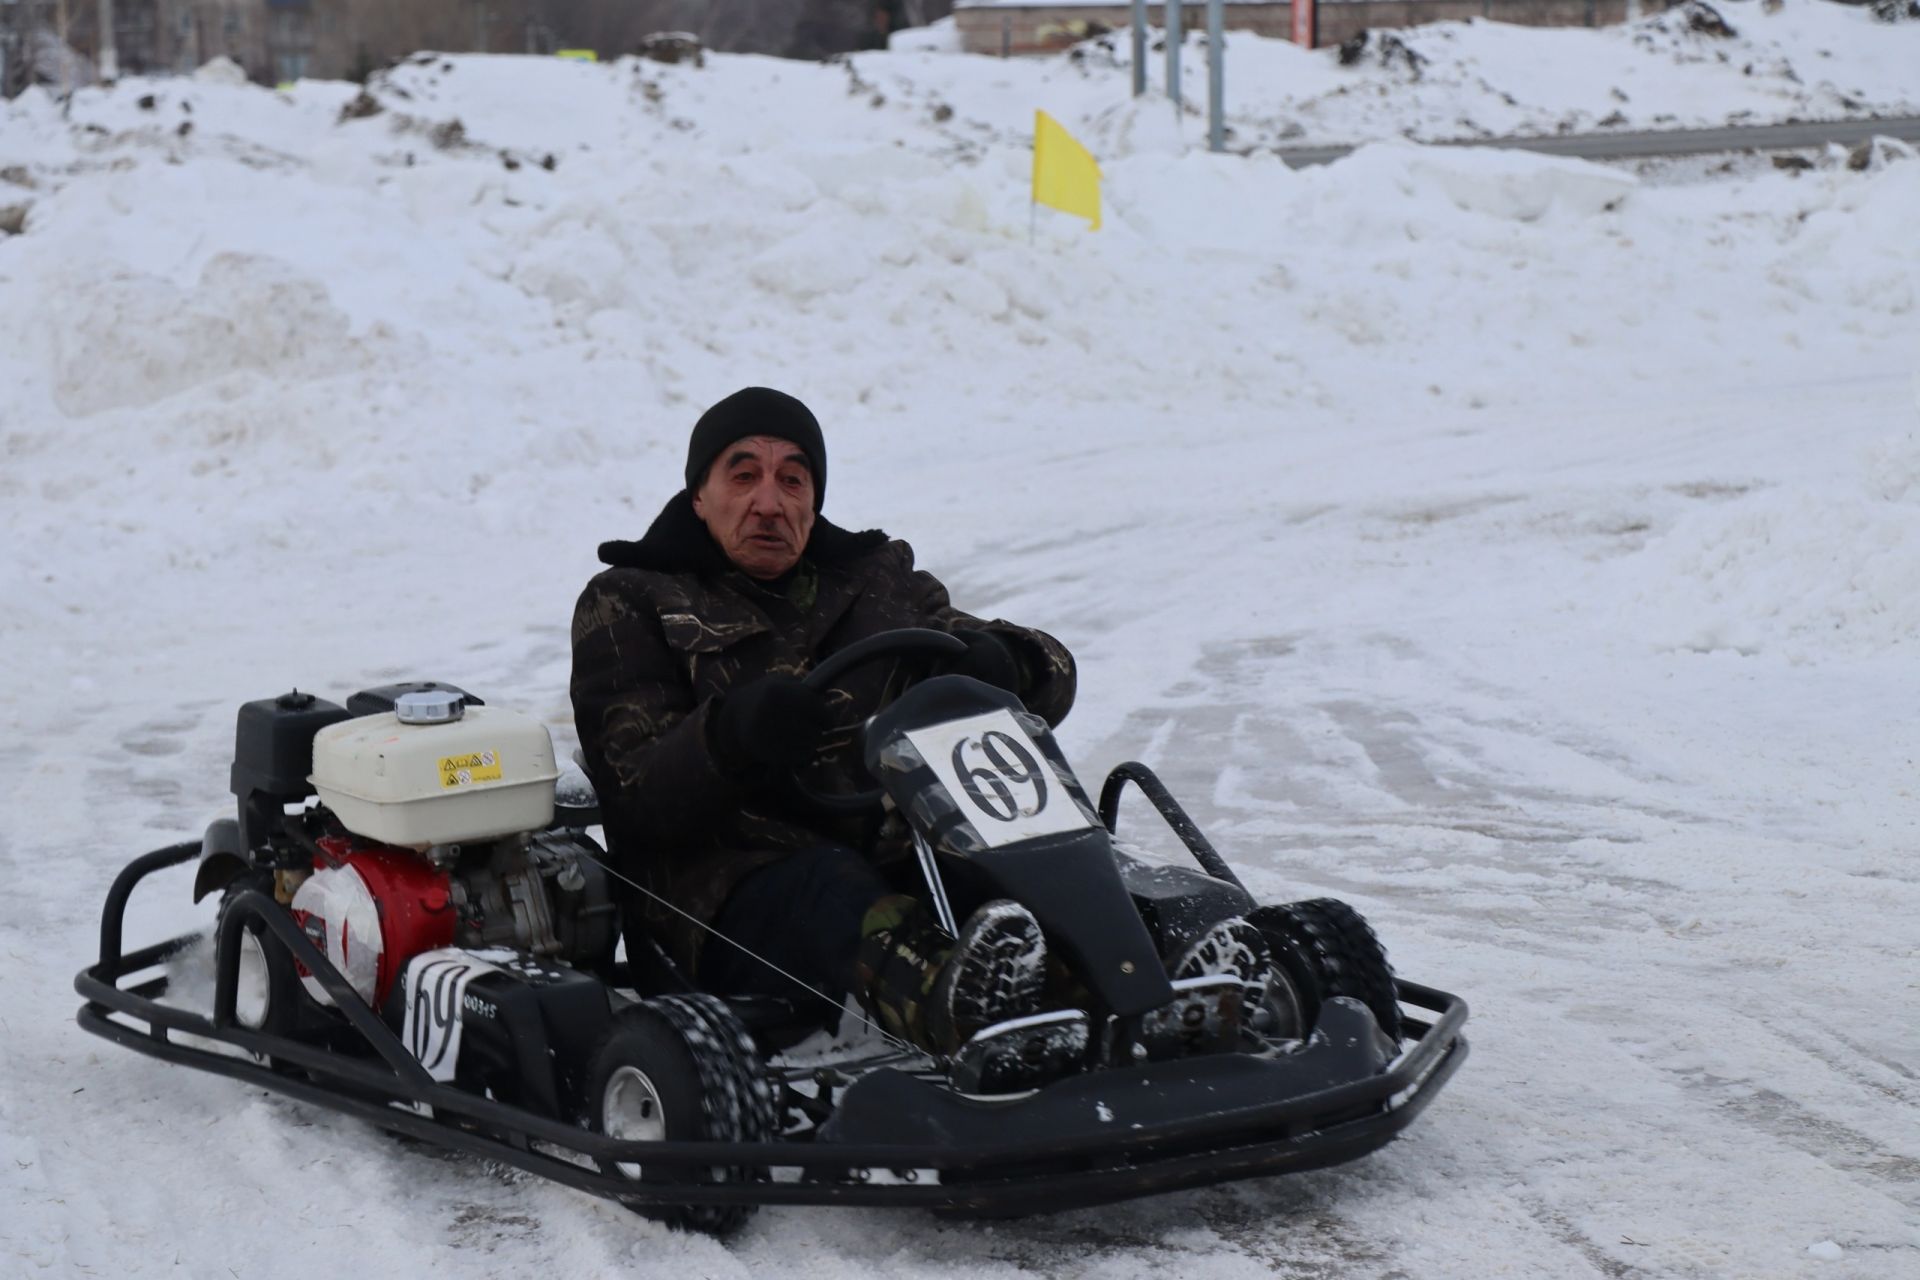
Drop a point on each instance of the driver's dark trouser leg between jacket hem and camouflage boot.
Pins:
(802, 920)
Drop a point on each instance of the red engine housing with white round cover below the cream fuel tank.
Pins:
(372, 909)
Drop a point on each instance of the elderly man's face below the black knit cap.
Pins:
(759, 504)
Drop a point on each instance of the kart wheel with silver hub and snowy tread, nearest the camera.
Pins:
(683, 1070)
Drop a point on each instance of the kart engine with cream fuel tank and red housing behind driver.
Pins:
(433, 832)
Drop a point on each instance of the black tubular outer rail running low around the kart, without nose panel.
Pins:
(1289, 1135)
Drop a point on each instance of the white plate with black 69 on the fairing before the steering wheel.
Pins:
(999, 778)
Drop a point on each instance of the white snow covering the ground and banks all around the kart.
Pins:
(1524, 550)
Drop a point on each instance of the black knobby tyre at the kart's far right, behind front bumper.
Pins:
(1326, 949)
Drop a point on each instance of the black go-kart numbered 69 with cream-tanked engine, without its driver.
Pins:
(418, 932)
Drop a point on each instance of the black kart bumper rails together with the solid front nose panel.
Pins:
(1201, 1122)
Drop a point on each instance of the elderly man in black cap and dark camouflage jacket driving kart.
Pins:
(694, 723)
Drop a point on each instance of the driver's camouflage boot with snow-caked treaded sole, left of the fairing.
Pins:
(934, 989)
